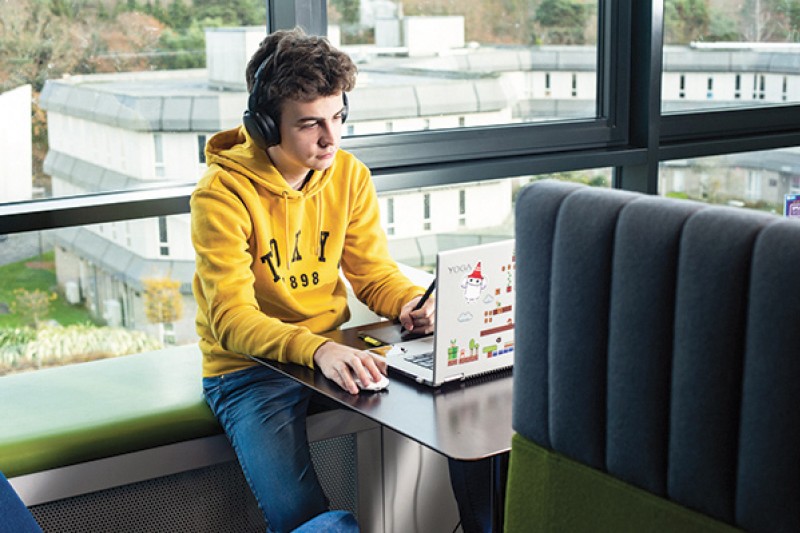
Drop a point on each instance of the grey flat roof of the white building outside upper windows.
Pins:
(466, 81)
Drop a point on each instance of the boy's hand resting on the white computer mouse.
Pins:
(342, 364)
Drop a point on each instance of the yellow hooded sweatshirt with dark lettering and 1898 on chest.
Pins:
(267, 280)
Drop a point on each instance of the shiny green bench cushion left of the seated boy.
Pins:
(71, 414)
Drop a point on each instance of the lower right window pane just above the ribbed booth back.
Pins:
(755, 180)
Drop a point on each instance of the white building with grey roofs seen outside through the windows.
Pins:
(138, 130)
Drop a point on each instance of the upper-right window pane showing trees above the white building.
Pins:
(721, 54)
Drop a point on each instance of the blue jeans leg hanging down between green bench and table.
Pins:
(264, 415)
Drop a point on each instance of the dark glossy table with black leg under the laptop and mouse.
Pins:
(469, 420)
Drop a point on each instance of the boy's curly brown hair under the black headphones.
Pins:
(299, 67)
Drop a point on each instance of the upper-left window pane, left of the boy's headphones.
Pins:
(124, 105)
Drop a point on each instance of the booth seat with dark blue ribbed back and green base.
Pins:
(657, 381)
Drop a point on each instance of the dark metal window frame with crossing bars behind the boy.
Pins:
(629, 133)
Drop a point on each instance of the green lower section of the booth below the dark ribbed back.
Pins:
(549, 492)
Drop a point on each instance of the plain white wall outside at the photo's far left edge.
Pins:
(16, 182)
